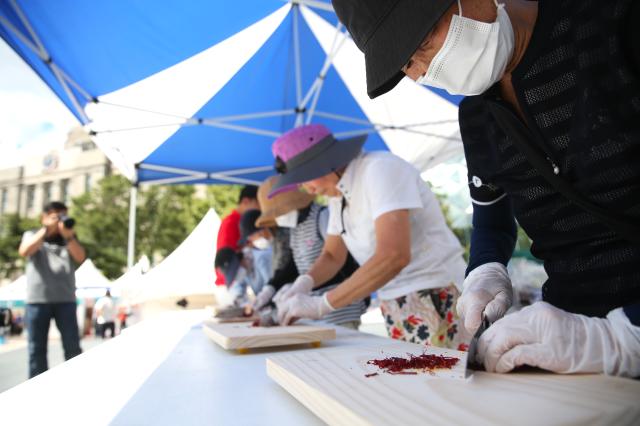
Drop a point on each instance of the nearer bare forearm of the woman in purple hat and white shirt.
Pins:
(371, 276)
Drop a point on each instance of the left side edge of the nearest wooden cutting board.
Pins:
(305, 393)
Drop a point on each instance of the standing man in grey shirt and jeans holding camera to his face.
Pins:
(51, 287)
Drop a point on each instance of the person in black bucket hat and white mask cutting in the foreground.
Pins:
(550, 134)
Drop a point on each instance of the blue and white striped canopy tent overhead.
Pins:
(197, 93)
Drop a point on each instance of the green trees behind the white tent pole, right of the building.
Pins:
(165, 216)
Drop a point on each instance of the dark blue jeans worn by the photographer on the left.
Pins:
(38, 318)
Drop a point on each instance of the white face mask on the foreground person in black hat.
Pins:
(474, 55)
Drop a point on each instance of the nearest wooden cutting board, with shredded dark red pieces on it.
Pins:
(332, 384)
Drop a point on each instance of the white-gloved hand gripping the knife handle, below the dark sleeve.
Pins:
(486, 289)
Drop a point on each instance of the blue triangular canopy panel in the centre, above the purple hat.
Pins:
(265, 83)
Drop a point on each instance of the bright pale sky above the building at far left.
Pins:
(32, 120)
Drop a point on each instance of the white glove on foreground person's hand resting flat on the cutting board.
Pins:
(544, 336)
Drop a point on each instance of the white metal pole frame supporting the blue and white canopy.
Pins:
(304, 111)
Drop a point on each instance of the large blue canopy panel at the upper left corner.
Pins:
(106, 45)
